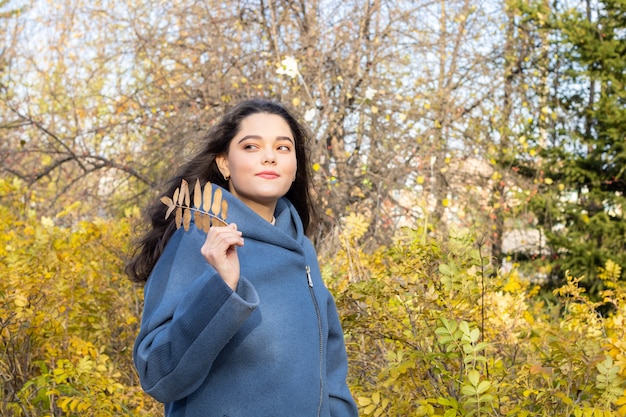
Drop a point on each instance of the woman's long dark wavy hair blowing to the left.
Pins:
(149, 247)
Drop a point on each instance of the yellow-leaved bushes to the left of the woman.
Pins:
(68, 318)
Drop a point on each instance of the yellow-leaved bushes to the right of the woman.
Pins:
(431, 327)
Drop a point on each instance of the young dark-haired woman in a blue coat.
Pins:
(237, 322)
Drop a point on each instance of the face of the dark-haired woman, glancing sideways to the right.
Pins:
(261, 161)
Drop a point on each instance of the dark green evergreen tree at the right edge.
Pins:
(581, 200)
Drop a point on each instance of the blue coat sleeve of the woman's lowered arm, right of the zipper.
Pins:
(341, 402)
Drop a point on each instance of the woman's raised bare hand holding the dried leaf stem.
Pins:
(220, 251)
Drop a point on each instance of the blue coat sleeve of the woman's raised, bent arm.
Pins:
(189, 315)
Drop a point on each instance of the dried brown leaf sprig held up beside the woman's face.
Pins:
(203, 200)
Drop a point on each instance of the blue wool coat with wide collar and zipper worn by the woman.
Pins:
(274, 347)
